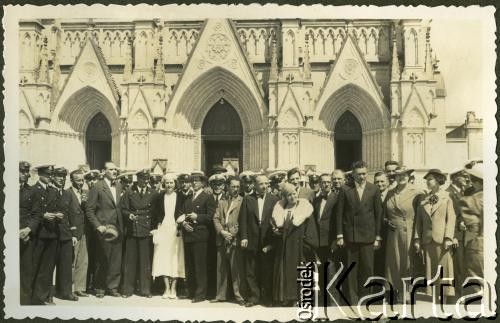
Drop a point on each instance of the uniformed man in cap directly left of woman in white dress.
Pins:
(137, 205)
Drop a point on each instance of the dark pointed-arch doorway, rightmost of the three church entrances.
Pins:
(348, 144)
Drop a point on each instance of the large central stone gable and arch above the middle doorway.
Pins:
(217, 68)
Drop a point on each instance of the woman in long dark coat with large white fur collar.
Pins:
(290, 221)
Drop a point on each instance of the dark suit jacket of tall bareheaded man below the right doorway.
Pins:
(359, 220)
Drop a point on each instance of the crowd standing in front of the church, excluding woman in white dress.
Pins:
(96, 237)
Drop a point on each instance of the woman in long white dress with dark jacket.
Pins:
(168, 258)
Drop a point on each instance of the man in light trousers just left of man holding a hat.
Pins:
(77, 199)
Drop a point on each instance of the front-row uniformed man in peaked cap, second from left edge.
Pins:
(48, 201)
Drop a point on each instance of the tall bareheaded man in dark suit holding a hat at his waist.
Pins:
(103, 209)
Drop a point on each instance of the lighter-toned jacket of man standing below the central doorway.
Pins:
(226, 218)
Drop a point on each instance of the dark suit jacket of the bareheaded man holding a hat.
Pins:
(101, 208)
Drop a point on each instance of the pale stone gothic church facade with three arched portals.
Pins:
(253, 94)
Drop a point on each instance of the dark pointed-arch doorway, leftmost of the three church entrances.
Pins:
(98, 141)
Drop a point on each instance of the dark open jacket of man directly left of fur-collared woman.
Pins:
(257, 234)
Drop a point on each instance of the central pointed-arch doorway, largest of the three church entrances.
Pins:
(222, 138)
